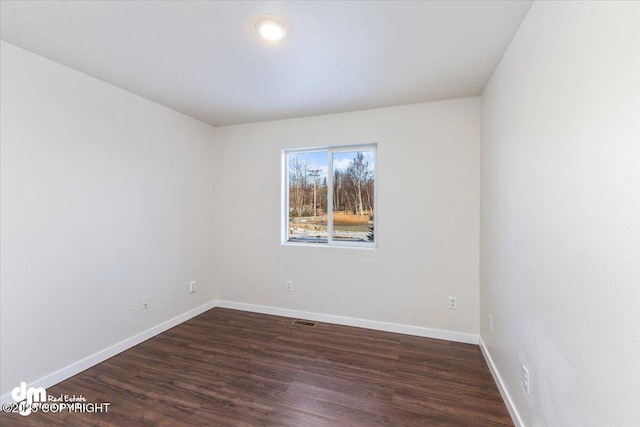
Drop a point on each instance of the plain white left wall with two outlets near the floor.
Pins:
(106, 197)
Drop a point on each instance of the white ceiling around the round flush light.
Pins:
(202, 58)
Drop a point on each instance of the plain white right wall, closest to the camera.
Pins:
(560, 214)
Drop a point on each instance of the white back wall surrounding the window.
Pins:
(427, 219)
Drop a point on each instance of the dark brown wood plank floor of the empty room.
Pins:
(233, 368)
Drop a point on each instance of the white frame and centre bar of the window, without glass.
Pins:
(331, 150)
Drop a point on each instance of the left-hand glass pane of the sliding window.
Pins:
(308, 197)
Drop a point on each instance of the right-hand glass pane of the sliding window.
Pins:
(353, 192)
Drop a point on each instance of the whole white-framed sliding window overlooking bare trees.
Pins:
(329, 196)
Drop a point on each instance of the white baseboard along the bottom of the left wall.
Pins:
(83, 364)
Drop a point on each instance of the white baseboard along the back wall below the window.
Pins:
(352, 321)
